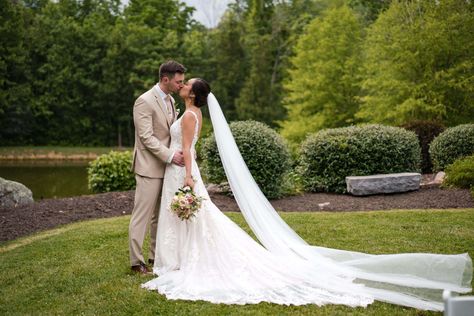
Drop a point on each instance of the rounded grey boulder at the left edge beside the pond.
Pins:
(13, 194)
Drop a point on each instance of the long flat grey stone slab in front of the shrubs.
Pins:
(383, 183)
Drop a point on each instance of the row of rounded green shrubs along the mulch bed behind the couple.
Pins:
(324, 160)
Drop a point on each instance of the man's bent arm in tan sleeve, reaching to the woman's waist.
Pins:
(142, 118)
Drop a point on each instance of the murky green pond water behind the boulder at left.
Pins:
(48, 178)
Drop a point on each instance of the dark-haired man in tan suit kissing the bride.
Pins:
(153, 114)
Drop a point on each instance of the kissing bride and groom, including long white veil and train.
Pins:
(211, 258)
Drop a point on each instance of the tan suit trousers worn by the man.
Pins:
(145, 212)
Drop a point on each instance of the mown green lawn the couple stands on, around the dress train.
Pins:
(82, 268)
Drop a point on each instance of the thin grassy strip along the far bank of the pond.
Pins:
(54, 152)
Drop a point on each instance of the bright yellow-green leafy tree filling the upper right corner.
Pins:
(420, 63)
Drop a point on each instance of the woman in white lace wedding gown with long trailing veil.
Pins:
(211, 258)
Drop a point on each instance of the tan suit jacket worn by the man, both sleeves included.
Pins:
(152, 135)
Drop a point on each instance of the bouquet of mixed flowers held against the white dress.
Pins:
(185, 203)
